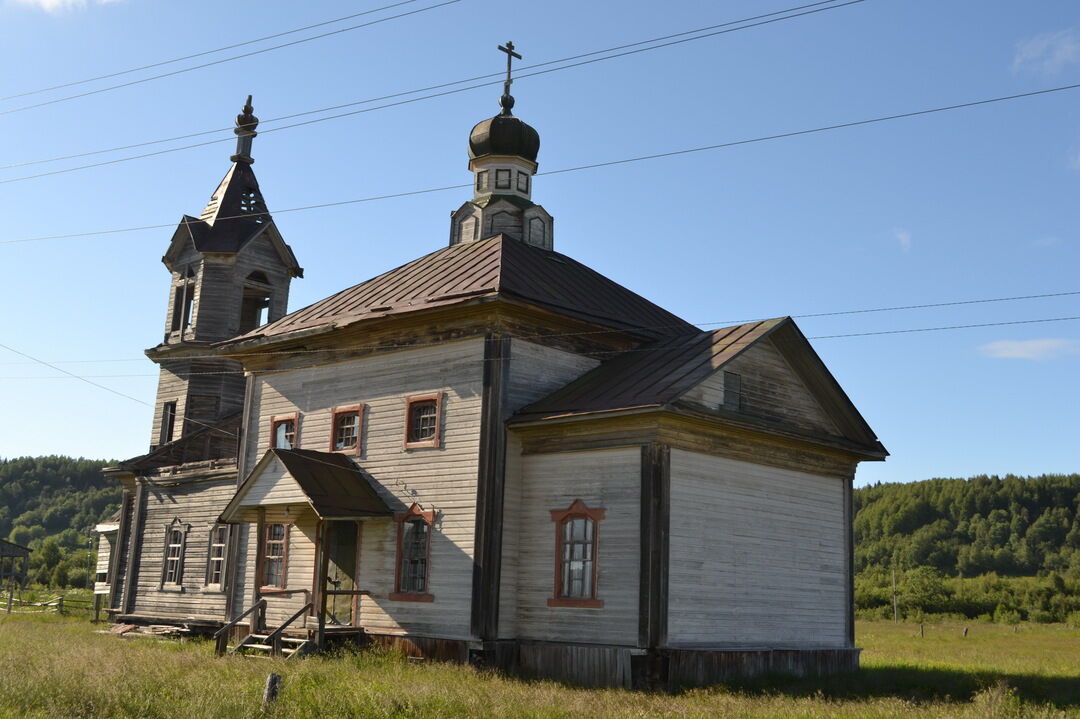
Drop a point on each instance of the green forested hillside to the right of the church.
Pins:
(1002, 549)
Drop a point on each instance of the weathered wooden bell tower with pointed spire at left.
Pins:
(231, 274)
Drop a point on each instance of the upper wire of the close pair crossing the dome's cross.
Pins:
(420, 90)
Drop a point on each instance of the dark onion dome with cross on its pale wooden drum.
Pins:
(503, 157)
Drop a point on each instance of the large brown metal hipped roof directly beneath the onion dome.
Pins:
(499, 267)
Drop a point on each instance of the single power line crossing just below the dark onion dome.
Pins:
(706, 148)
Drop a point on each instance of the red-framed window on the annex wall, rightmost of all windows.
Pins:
(577, 538)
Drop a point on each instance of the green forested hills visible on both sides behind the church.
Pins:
(1000, 549)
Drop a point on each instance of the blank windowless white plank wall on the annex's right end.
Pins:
(758, 555)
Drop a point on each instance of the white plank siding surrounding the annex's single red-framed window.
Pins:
(609, 480)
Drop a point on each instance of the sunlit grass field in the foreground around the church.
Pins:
(57, 668)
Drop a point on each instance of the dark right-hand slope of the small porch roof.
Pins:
(333, 484)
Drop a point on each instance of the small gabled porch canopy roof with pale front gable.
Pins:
(332, 485)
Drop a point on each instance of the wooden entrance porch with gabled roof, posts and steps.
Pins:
(305, 512)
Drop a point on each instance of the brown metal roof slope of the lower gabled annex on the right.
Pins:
(651, 376)
